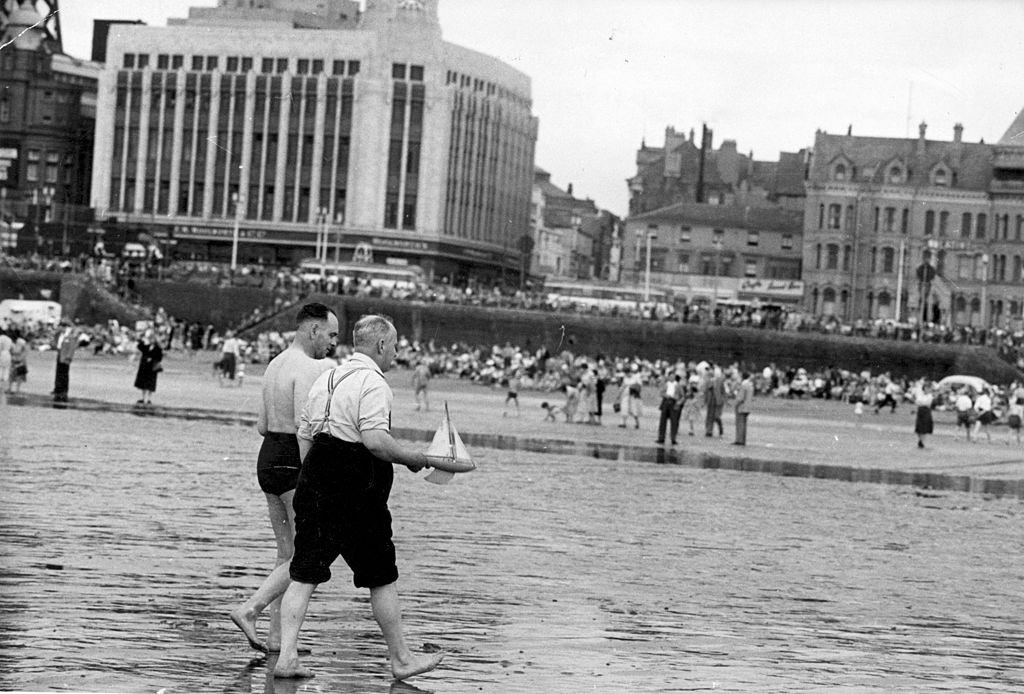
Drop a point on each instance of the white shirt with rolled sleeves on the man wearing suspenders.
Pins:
(361, 403)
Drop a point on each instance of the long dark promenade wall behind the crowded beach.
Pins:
(447, 324)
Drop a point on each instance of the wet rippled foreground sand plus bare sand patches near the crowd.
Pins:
(127, 540)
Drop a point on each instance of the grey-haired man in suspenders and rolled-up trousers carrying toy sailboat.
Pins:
(343, 494)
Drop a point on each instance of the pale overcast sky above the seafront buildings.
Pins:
(609, 75)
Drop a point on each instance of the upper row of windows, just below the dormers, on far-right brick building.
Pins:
(891, 221)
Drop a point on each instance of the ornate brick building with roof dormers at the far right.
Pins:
(916, 229)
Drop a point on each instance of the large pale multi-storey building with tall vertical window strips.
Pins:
(289, 117)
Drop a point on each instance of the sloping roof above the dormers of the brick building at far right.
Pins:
(869, 156)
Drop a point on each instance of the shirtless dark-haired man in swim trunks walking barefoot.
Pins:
(286, 385)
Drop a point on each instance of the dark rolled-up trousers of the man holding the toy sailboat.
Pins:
(342, 510)
